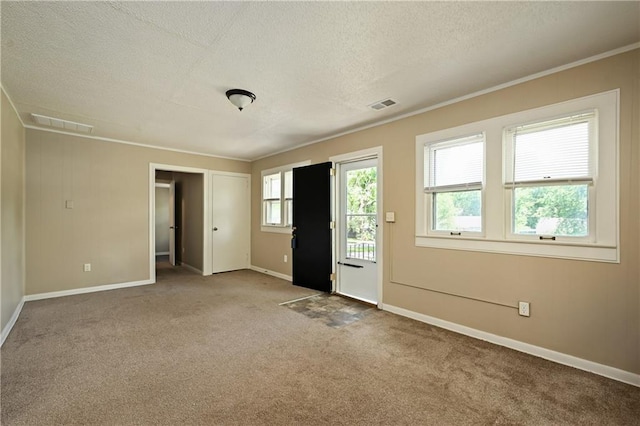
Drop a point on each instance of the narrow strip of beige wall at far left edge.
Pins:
(12, 154)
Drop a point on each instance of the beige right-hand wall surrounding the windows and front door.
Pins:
(589, 310)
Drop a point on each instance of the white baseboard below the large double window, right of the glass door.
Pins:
(559, 357)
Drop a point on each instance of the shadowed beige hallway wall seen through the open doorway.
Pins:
(191, 203)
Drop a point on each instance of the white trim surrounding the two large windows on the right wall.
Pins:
(496, 201)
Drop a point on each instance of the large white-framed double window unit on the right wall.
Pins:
(550, 184)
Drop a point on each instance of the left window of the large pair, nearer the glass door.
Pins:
(453, 182)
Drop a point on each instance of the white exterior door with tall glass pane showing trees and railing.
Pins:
(357, 269)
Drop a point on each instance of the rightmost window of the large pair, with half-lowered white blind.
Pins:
(549, 177)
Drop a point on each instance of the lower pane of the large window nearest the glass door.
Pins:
(457, 211)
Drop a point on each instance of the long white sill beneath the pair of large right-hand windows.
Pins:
(592, 253)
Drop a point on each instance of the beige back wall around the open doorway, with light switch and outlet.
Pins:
(109, 224)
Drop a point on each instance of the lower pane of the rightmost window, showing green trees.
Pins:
(551, 210)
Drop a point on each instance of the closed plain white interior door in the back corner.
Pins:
(230, 221)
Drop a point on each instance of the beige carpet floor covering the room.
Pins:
(194, 350)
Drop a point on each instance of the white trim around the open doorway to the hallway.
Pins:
(206, 247)
